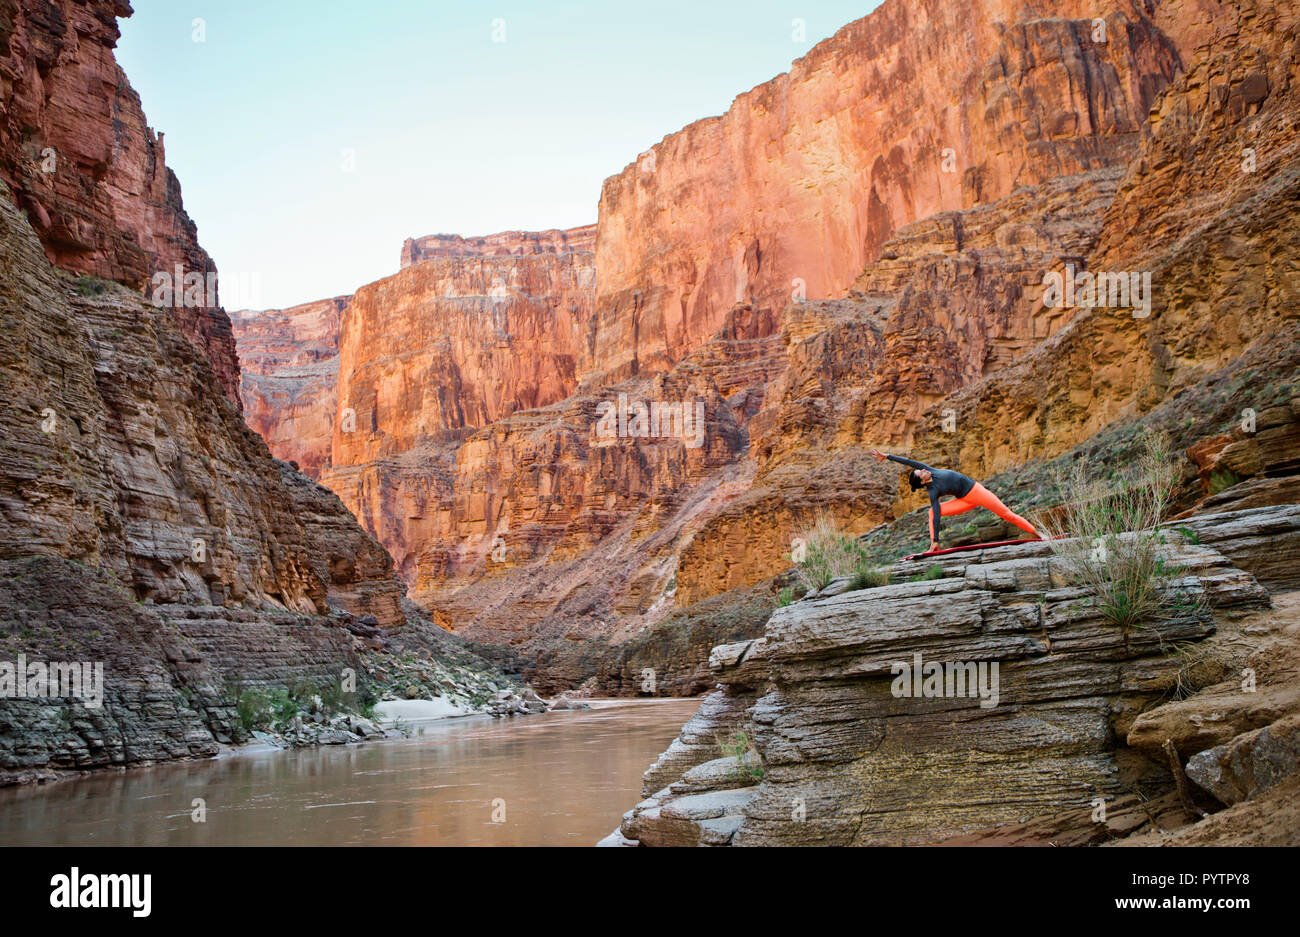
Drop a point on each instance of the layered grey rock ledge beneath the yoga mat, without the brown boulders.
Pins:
(850, 758)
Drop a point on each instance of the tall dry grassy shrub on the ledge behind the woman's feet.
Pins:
(1110, 540)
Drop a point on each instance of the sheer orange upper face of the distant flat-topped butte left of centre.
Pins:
(456, 342)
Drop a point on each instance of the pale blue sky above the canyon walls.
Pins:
(313, 137)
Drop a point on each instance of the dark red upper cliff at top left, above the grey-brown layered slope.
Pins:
(83, 163)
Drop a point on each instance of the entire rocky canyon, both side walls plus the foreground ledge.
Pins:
(419, 483)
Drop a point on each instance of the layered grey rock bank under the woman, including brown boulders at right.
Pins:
(808, 740)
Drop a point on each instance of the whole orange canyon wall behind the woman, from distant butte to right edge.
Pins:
(846, 259)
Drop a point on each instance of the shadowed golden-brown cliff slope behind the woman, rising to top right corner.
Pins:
(948, 346)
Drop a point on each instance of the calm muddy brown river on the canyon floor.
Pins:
(558, 779)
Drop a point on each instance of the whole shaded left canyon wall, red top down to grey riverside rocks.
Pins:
(144, 526)
